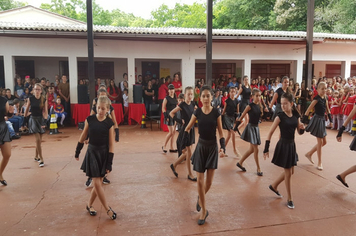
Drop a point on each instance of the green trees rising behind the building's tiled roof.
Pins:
(334, 16)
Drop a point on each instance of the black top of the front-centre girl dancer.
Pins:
(207, 123)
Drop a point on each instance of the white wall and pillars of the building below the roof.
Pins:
(179, 56)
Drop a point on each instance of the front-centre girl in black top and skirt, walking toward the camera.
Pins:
(206, 154)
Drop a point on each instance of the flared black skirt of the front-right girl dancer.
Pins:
(285, 154)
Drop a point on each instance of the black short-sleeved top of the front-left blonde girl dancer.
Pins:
(99, 130)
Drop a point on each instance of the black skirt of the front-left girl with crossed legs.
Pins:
(94, 163)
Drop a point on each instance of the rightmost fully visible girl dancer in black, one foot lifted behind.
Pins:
(316, 126)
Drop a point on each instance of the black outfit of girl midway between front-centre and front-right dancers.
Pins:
(251, 133)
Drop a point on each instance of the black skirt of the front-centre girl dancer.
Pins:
(205, 156)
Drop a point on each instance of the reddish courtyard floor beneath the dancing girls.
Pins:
(149, 200)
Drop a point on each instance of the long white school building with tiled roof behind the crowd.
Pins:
(39, 43)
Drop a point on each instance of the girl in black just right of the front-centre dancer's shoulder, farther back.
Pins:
(229, 114)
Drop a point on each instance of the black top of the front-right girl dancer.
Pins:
(288, 125)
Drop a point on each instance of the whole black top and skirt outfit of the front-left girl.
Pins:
(94, 163)
